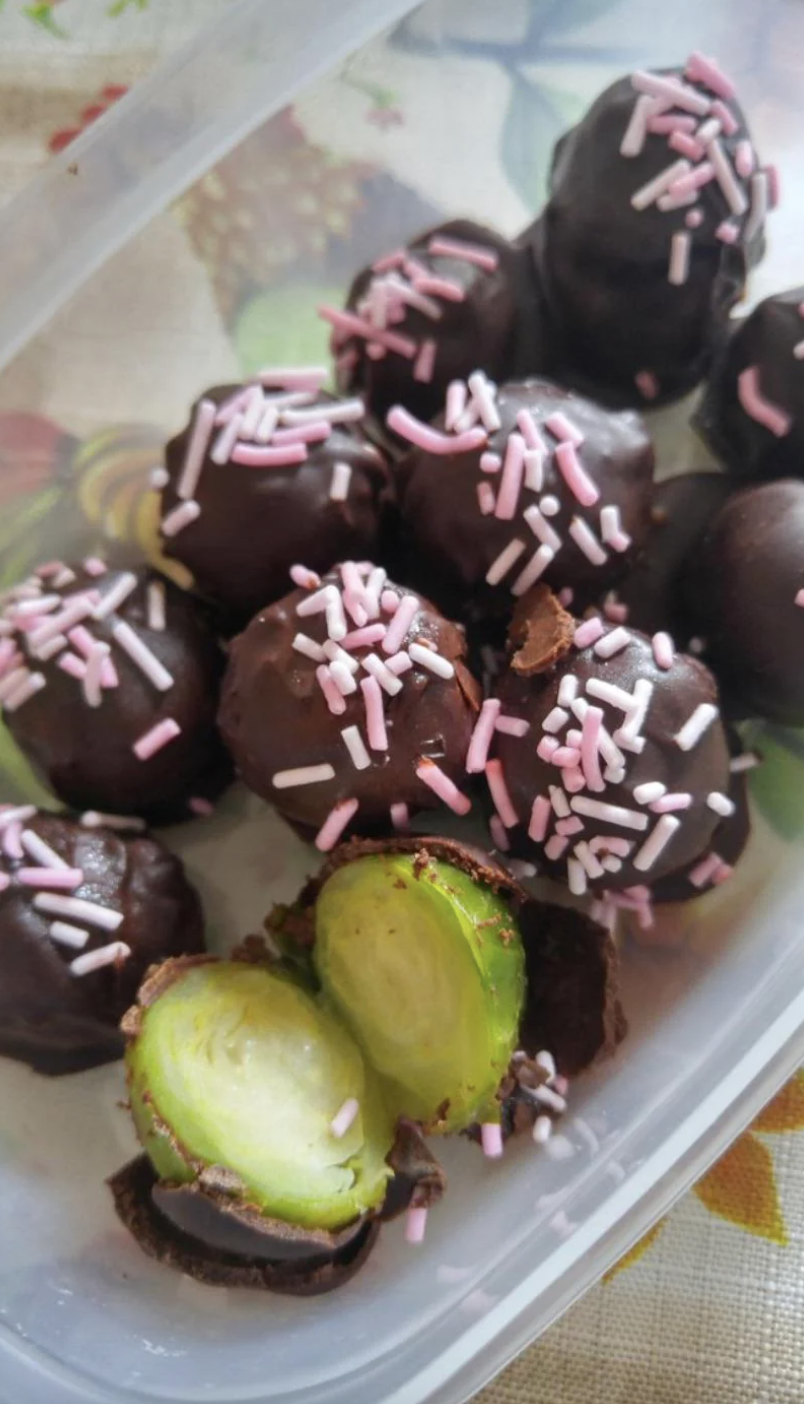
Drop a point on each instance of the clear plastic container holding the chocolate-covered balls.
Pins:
(718, 1023)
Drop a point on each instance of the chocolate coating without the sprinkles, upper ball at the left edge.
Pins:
(86, 753)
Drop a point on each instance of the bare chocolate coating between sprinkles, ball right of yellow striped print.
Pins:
(256, 523)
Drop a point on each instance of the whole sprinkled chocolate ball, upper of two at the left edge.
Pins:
(109, 683)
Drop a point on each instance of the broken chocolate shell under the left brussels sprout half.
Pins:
(207, 1249)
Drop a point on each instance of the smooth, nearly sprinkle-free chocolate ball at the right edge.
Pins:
(746, 595)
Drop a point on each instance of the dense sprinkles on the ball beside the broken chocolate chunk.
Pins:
(590, 741)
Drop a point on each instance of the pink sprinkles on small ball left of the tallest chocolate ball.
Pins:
(402, 284)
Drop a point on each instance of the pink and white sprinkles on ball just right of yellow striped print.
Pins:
(272, 423)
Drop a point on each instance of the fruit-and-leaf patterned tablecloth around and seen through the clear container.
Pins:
(709, 1306)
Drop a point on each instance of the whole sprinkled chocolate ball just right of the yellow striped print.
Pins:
(266, 477)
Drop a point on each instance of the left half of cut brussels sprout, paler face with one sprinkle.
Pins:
(236, 1066)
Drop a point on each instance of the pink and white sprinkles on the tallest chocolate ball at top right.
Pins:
(697, 117)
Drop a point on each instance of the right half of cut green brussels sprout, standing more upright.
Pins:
(427, 969)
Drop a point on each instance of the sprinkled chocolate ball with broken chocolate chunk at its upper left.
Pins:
(611, 767)
